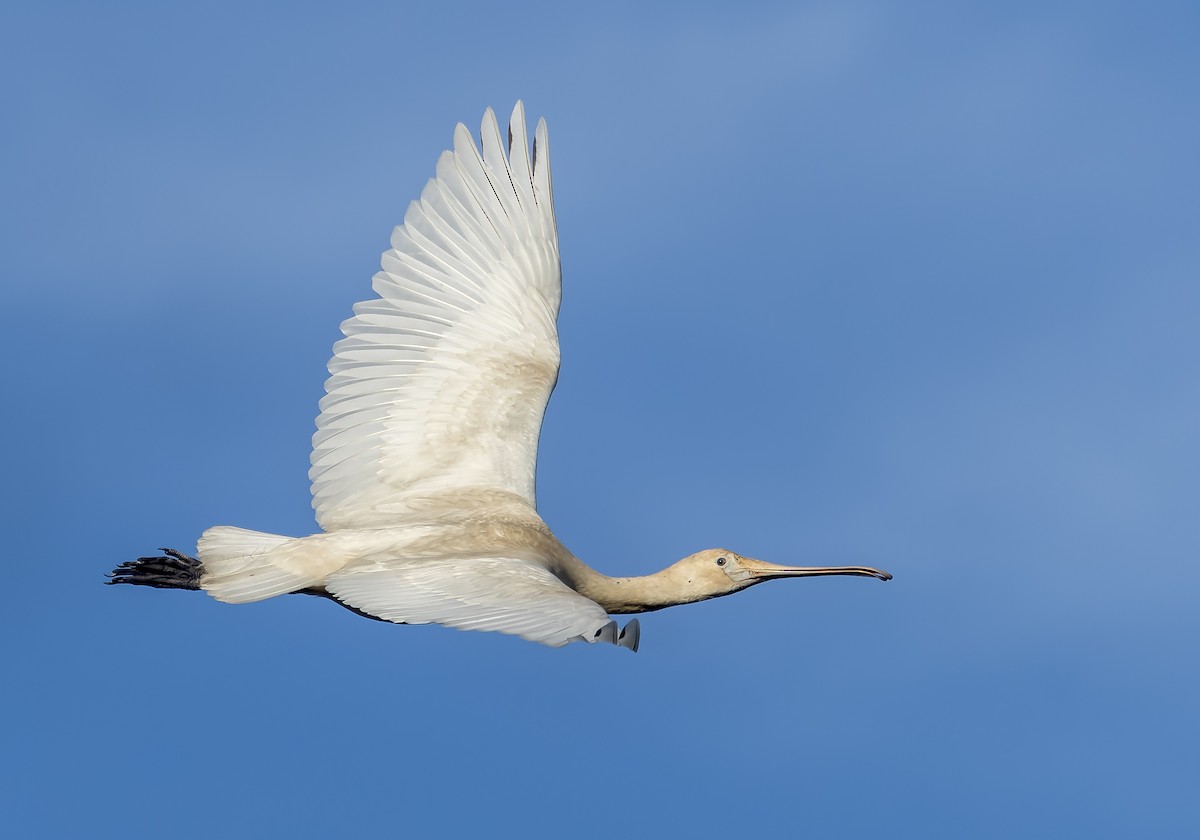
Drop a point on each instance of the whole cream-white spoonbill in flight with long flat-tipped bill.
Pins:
(425, 453)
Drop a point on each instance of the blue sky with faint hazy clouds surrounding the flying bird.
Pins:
(904, 285)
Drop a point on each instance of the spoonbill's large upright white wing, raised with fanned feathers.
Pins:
(442, 382)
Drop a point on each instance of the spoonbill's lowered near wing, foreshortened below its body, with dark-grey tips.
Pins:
(507, 596)
